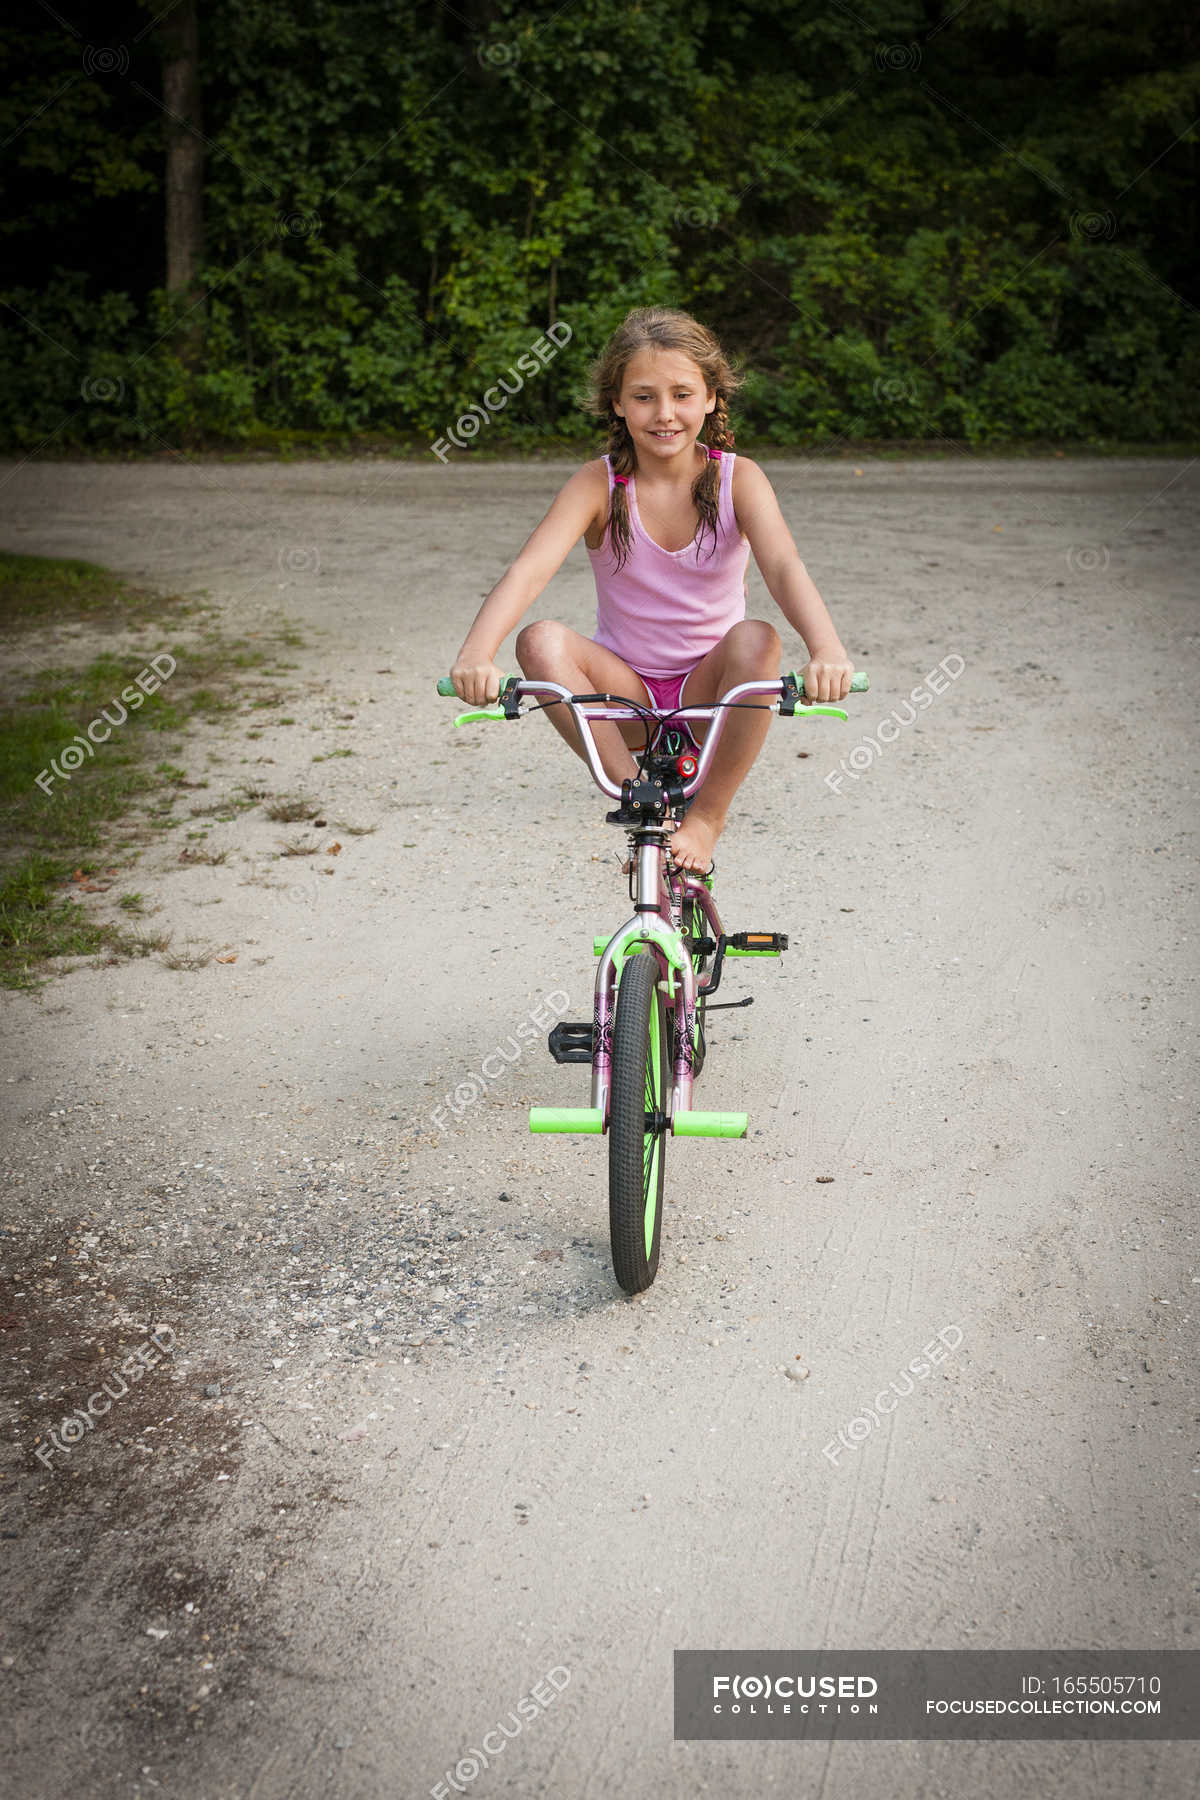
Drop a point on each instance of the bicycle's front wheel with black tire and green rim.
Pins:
(638, 1124)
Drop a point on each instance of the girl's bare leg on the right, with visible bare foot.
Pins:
(748, 652)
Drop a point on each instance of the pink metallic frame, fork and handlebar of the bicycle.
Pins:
(661, 890)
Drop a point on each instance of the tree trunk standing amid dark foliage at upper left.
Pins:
(181, 96)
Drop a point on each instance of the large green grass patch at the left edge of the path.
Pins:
(85, 773)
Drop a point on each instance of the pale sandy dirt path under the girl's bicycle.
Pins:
(406, 1450)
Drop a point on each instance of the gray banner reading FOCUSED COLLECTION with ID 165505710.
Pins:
(983, 1695)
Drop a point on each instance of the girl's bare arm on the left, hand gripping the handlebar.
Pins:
(577, 507)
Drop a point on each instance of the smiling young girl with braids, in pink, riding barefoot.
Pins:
(670, 517)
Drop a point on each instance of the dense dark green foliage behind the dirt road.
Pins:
(981, 228)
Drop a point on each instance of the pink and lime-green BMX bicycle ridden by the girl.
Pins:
(659, 971)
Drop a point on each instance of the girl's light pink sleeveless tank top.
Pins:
(667, 609)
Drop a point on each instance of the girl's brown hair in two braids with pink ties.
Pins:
(663, 328)
